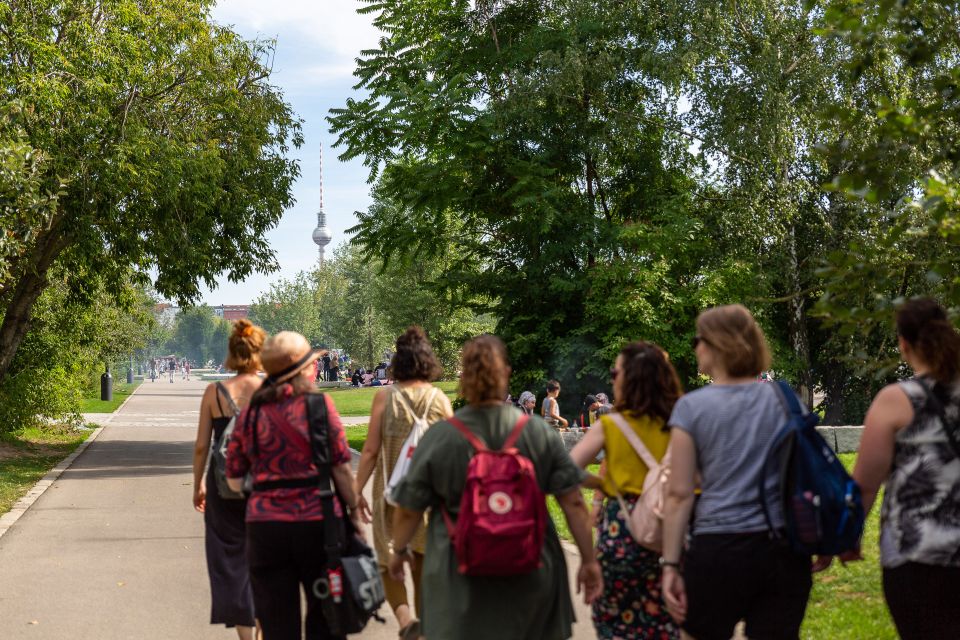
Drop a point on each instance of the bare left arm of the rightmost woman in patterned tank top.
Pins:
(891, 411)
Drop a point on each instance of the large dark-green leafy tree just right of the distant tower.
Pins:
(515, 141)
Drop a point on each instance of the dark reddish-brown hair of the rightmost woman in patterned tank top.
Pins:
(924, 324)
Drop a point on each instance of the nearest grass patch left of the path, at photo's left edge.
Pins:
(27, 456)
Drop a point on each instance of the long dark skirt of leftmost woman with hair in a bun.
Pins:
(226, 545)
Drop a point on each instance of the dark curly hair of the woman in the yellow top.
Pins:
(651, 386)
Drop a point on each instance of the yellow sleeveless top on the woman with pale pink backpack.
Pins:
(622, 462)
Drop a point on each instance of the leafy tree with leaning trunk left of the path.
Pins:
(168, 138)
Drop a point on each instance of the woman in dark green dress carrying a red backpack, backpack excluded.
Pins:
(528, 606)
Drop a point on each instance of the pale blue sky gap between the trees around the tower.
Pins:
(317, 43)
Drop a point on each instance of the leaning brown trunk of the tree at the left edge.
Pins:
(19, 311)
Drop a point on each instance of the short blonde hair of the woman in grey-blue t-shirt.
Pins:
(736, 338)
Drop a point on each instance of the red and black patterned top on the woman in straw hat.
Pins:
(284, 450)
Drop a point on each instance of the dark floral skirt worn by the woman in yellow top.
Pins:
(631, 606)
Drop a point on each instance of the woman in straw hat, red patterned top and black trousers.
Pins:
(285, 528)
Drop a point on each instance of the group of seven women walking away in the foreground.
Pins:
(720, 560)
